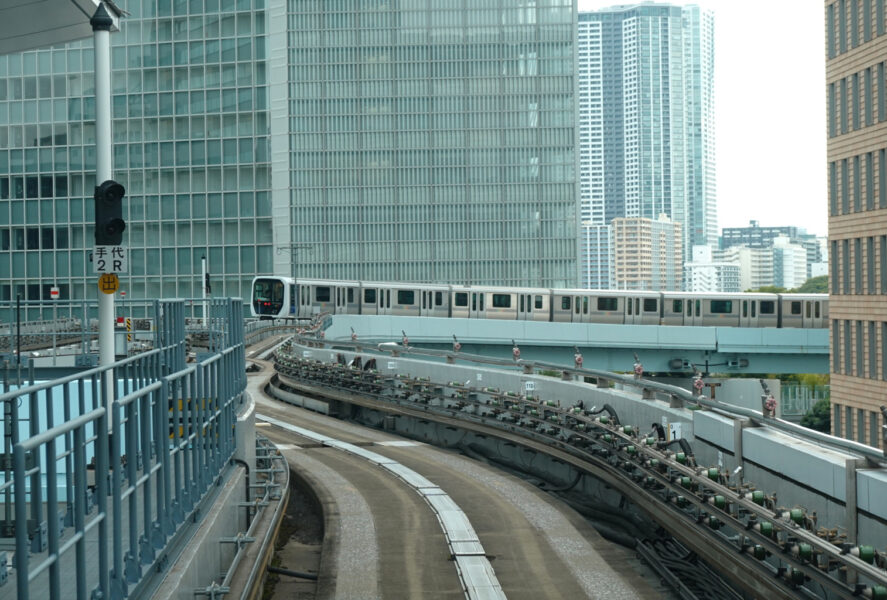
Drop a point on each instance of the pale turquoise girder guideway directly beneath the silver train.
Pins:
(604, 346)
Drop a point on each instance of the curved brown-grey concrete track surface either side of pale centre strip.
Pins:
(538, 547)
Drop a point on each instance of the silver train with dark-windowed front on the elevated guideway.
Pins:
(275, 297)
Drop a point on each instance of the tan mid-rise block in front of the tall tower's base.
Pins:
(647, 254)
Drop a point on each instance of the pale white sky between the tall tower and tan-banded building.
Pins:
(770, 111)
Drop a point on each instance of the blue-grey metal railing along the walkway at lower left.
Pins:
(101, 486)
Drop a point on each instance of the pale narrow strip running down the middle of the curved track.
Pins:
(475, 571)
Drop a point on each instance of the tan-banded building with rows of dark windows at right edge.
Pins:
(856, 44)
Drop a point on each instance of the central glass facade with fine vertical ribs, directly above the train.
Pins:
(426, 141)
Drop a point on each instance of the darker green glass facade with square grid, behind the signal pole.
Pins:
(190, 134)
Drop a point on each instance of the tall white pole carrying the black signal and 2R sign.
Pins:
(101, 23)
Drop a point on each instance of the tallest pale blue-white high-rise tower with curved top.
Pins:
(646, 120)
